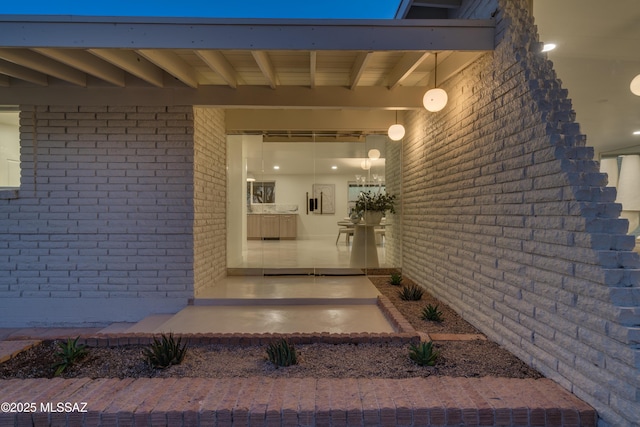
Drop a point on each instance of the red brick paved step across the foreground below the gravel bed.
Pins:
(441, 401)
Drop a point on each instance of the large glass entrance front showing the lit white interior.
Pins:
(298, 207)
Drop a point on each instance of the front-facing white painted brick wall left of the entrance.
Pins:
(105, 211)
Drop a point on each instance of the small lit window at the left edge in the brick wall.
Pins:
(9, 149)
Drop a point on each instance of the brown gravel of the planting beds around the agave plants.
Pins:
(456, 358)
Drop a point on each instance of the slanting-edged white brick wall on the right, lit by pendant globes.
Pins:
(507, 220)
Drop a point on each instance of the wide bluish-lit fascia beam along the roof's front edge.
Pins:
(251, 34)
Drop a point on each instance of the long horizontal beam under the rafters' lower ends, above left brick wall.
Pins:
(367, 97)
